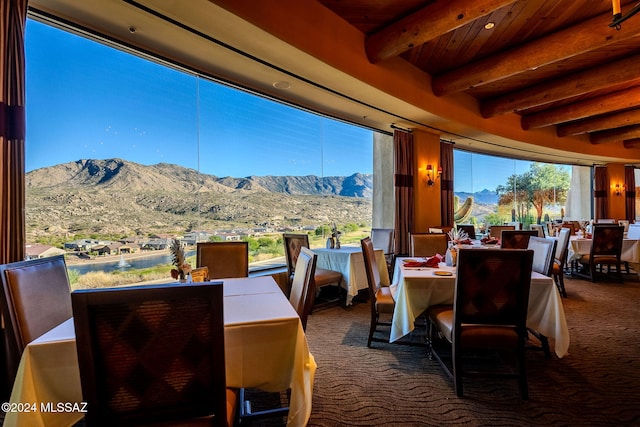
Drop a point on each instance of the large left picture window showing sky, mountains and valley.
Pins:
(123, 154)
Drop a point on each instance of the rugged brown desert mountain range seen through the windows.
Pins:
(118, 197)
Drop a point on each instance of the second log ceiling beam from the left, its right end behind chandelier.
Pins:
(572, 41)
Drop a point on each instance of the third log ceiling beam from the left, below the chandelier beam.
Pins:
(602, 77)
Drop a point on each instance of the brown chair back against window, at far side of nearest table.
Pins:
(223, 259)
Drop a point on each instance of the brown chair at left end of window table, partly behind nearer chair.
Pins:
(322, 276)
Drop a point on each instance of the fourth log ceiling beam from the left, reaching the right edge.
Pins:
(616, 101)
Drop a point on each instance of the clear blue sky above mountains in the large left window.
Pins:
(85, 100)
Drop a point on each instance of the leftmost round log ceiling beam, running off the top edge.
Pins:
(427, 24)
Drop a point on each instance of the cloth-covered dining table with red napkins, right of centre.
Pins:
(416, 289)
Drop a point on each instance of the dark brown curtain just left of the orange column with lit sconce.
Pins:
(403, 181)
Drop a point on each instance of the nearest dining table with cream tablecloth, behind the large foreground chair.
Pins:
(265, 348)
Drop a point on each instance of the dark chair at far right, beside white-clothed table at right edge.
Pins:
(605, 250)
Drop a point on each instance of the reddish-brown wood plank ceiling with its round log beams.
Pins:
(555, 63)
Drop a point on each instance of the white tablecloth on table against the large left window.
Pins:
(349, 261)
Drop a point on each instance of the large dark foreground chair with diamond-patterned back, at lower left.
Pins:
(153, 353)
